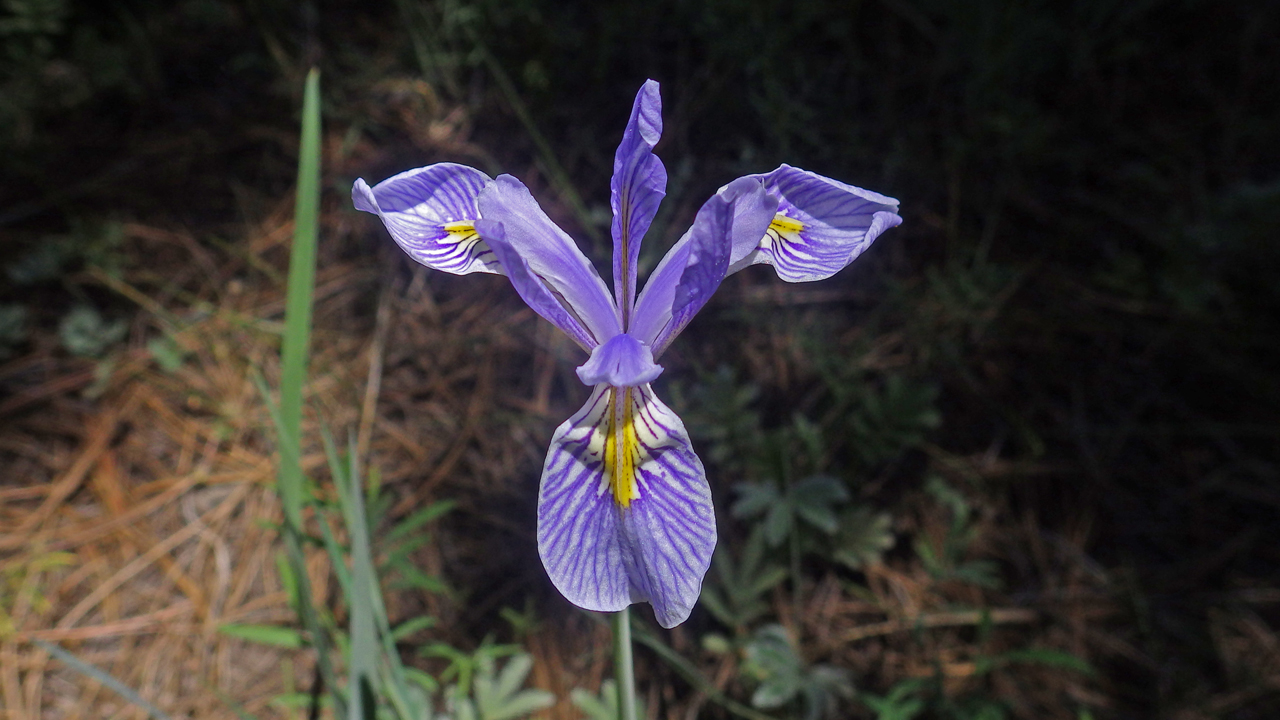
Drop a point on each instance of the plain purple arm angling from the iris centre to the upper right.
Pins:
(696, 266)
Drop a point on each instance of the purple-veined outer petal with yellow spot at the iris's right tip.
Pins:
(821, 226)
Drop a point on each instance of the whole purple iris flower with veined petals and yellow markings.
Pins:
(625, 513)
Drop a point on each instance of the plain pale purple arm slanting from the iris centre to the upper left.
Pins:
(551, 254)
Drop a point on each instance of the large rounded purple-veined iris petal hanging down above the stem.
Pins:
(610, 539)
